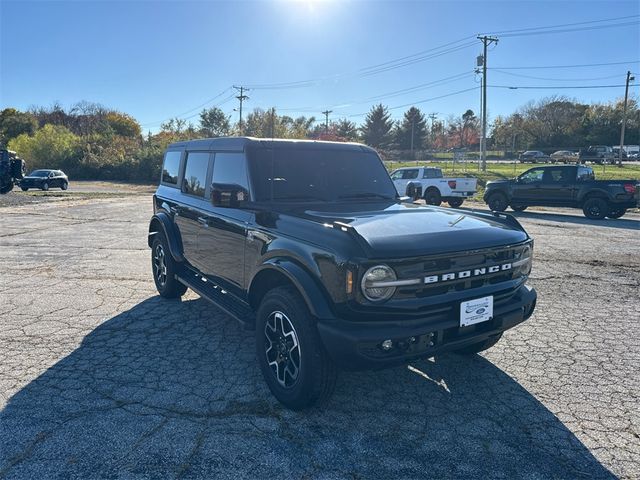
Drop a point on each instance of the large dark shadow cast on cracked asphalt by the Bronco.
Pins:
(172, 389)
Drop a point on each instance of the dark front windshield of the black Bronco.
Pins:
(318, 174)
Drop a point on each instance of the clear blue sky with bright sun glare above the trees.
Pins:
(158, 59)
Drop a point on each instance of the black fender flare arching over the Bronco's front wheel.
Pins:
(312, 294)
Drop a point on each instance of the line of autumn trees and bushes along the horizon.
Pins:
(90, 141)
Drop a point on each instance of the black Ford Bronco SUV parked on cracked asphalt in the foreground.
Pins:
(309, 245)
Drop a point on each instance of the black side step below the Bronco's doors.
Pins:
(222, 299)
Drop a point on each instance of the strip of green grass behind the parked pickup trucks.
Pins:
(504, 170)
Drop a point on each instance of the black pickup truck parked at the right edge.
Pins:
(564, 186)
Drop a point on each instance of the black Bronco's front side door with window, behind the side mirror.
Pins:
(223, 235)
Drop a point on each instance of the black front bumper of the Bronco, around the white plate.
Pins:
(356, 345)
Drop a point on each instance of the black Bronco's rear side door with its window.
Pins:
(189, 217)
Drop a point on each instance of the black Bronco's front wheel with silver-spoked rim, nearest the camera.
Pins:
(294, 364)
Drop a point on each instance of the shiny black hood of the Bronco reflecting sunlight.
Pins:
(403, 229)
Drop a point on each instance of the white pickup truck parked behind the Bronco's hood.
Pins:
(430, 184)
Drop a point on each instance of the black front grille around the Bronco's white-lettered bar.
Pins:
(441, 265)
